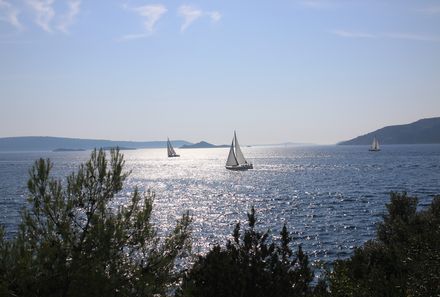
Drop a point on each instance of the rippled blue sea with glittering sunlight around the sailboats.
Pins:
(330, 197)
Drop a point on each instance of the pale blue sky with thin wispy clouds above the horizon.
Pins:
(311, 71)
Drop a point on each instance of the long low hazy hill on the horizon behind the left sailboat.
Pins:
(40, 143)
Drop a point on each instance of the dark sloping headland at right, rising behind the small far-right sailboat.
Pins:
(424, 131)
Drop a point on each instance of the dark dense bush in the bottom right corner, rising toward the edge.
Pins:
(404, 260)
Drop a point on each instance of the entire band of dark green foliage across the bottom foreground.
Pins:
(76, 240)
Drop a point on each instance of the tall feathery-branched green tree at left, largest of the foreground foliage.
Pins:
(75, 241)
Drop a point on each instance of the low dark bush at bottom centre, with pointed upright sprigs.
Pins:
(250, 265)
